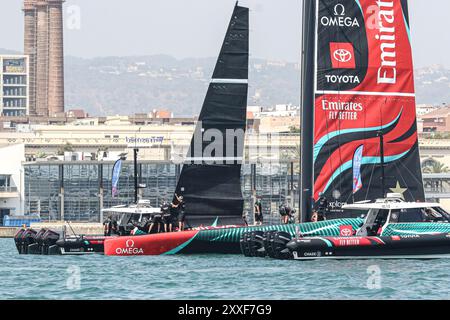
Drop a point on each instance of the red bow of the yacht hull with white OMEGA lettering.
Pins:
(152, 244)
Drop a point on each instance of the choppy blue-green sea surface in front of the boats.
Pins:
(216, 277)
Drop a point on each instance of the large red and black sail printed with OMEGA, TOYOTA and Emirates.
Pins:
(364, 87)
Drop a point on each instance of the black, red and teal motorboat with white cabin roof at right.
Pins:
(392, 228)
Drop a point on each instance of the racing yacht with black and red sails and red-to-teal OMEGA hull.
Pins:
(359, 133)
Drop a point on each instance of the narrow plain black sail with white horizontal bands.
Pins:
(210, 180)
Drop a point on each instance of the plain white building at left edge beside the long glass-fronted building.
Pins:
(11, 180)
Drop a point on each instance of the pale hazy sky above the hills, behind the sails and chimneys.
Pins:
(195, 28)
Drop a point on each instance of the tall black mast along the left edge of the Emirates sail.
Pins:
(307, 110)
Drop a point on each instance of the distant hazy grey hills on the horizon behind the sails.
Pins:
(127, 85)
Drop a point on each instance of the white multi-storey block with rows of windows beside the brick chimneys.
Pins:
(14, 85)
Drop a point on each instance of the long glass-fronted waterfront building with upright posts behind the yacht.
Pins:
(77, 190)
